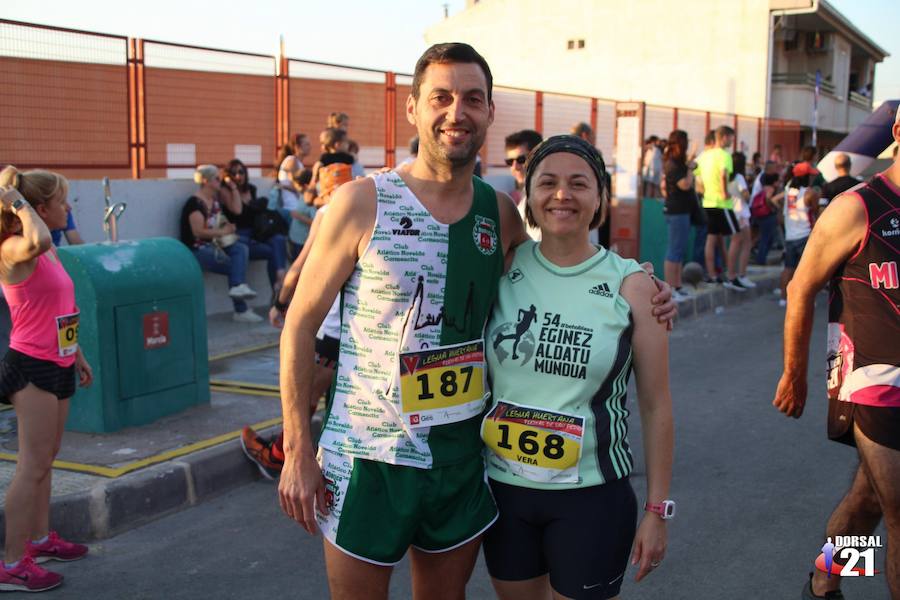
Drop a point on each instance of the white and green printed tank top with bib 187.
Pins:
(410, 386)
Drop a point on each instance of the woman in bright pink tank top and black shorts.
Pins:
(37, 375)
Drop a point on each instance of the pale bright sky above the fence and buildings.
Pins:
(382, 34)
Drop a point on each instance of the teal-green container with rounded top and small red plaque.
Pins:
(142, 329)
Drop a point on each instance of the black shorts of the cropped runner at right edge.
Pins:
(881, 424)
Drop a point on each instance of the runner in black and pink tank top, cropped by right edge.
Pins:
(856, 245)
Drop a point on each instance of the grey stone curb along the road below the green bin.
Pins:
(114, 506)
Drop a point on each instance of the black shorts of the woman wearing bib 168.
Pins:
(581, 537)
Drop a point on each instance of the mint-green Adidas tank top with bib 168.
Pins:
(559, 353)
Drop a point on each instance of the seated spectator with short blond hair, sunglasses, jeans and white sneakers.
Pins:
(213, 241)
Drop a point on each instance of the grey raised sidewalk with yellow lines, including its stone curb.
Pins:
(105, 484)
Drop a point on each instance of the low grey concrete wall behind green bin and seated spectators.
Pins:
(154, 208)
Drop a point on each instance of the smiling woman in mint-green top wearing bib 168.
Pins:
(569, 320)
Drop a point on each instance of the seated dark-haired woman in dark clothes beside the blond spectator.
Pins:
(263, 245)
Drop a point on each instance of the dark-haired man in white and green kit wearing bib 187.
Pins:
(416, 255)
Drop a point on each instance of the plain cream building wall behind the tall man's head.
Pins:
(704, 54)
